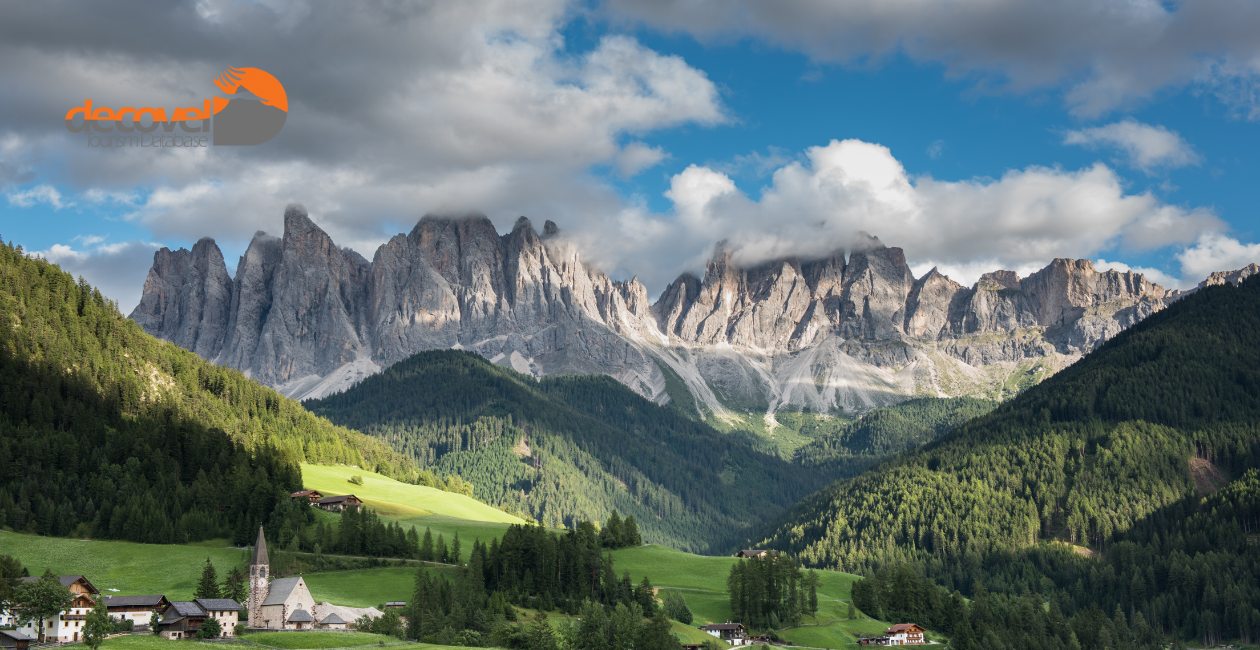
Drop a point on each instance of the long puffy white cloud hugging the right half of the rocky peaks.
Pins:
(812, 207)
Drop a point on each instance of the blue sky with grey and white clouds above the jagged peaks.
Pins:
(975, 135)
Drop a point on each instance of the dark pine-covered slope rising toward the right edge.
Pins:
(1096, 491)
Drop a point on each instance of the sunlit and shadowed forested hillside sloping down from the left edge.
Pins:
(109, 433)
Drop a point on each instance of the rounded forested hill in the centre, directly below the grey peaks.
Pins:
(571, 449)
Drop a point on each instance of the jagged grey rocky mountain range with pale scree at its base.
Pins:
(841, 334)
